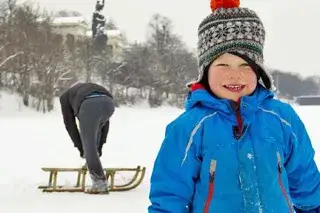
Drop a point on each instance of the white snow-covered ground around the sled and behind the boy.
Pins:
(32, 140)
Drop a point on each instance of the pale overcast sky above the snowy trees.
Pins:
(293, 29)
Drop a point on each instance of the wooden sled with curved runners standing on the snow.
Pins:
(81, 179)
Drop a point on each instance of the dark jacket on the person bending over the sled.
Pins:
(71, 101)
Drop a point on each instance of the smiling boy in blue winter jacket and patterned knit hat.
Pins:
(235, 149)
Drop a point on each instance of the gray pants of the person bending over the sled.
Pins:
(93, 114)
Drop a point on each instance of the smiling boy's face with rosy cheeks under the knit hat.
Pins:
(231, 77)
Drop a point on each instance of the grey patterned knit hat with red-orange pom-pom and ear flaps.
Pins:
(230, 28)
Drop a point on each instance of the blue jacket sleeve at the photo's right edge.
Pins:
(303, 174)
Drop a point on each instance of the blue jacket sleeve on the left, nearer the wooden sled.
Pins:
(175, 171)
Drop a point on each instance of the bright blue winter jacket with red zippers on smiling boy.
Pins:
(205, 164)
